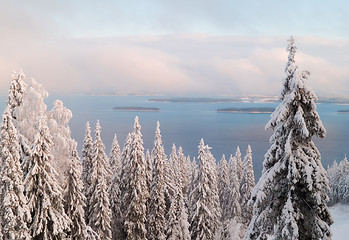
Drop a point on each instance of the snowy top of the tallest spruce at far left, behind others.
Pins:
(16, 91)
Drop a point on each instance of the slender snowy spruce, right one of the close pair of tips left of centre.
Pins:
(99, 214)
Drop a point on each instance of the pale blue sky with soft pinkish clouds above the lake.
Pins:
(206, 47)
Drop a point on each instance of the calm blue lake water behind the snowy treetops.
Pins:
(184, 124)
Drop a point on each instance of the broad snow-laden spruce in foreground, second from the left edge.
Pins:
(45, 198)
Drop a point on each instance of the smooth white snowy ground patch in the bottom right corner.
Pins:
(340, 227)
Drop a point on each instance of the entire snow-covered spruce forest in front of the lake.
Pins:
(50, 191)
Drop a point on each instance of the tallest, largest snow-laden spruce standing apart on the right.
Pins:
(290, 198)
